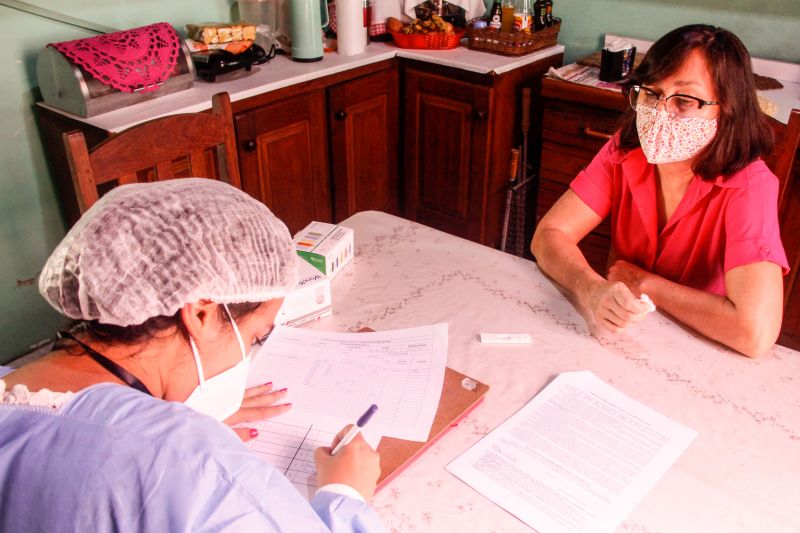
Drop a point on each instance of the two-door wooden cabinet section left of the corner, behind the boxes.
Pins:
(323, 150)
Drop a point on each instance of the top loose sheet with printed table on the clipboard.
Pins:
(333, 377)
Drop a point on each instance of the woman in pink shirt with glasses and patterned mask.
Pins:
(693, 207)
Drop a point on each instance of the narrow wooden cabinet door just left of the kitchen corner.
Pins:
(363, 118)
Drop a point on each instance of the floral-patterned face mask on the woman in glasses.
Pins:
(666, 138)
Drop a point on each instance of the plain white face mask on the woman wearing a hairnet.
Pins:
(222, 395)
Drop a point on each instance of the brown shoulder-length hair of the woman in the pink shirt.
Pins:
(743, 133)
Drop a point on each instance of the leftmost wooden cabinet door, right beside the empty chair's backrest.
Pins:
(283, 158)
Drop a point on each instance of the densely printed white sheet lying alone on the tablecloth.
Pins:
(577, 458)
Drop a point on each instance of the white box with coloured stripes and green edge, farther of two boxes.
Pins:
(327, 247)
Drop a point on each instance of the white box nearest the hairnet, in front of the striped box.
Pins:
(309, 300)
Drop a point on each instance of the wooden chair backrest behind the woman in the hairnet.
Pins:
(190, 144)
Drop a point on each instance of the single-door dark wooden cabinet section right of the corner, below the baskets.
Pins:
(459, 131)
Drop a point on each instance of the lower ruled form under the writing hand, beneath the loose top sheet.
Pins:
(291, 448)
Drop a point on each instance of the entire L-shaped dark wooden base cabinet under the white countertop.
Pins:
(329, 147)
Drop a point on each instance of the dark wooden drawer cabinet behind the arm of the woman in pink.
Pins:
(576, 123)
